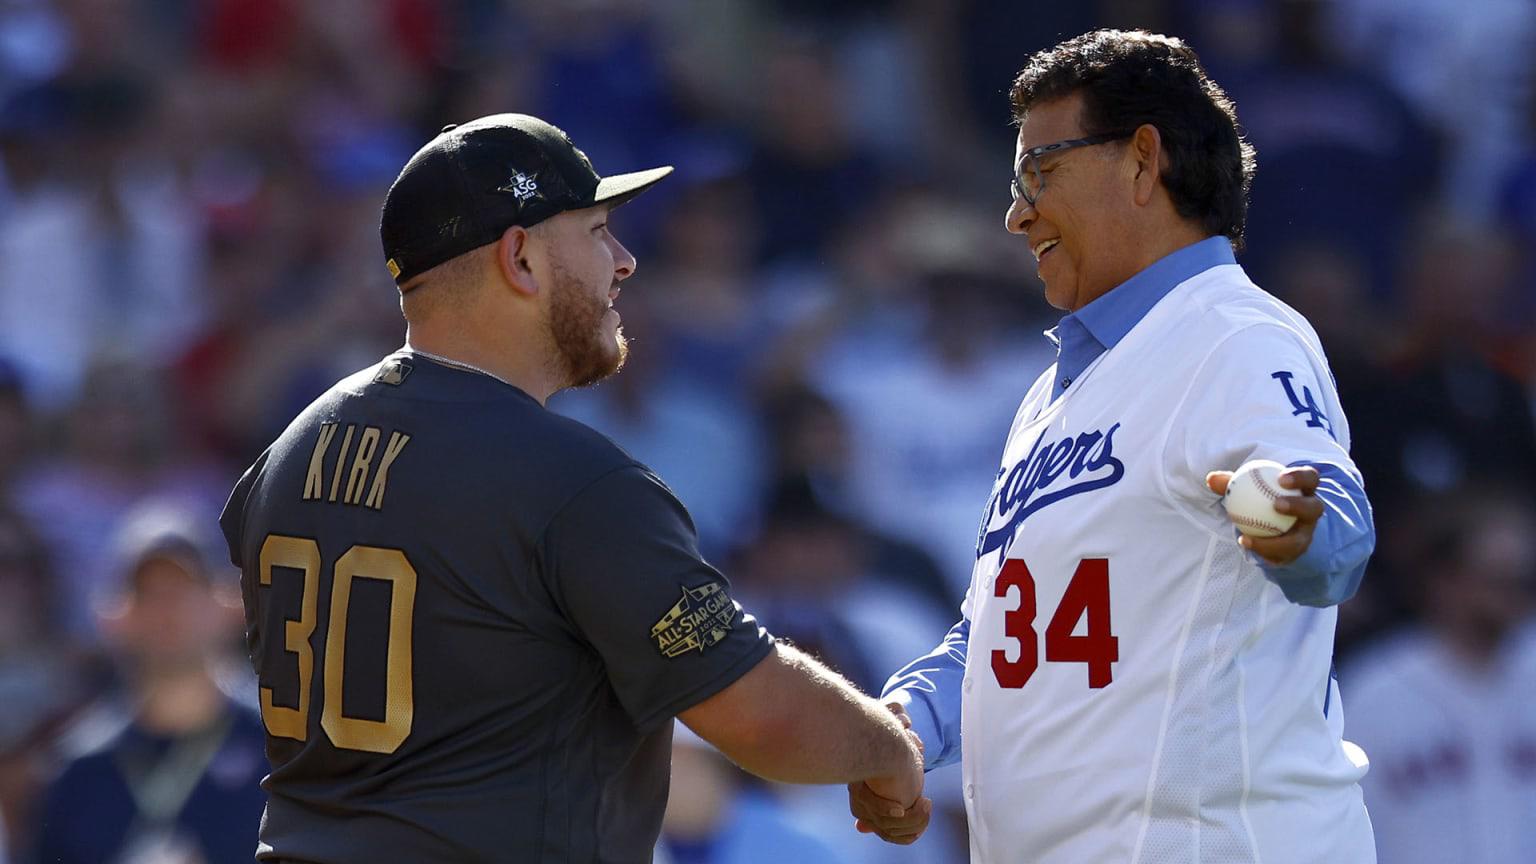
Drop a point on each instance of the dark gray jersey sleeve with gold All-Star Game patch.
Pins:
(624, 565)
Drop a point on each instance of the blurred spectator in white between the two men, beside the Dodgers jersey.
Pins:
(929, 393)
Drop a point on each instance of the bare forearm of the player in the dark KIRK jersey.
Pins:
(804, 723)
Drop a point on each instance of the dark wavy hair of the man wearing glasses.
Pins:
(1136, 78)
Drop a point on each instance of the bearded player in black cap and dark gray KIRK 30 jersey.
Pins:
(475, 620)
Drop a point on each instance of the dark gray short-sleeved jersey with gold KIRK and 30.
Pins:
(472, 622)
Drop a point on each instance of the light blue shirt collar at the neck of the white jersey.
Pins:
(1099, 327)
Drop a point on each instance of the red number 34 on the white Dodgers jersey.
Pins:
(1087, 596)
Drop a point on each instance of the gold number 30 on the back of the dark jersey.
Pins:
(368, 562)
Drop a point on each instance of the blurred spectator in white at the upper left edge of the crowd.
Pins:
(99, 250)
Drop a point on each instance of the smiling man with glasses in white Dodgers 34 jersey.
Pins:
(1128, 683)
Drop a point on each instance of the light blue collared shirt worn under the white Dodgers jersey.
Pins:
(1326, 574)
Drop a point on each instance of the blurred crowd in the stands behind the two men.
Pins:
(830, 334)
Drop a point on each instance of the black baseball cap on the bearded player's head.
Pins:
(474, 182)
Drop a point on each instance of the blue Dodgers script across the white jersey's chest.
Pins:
(1087, 464)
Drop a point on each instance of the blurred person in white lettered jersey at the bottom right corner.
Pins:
(1445, 709)
